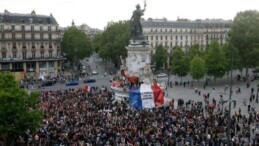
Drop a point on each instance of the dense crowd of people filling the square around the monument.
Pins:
(73, 117)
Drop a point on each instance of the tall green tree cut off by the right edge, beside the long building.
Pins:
(244, 36)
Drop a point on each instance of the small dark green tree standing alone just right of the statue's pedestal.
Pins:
(160, 57)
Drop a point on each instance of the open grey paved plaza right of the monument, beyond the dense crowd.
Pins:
(188, 92)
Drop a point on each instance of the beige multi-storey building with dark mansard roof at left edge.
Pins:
(30, 45)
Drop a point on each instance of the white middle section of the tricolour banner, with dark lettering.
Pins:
(147, 96)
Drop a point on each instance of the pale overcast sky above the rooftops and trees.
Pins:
(97, 13)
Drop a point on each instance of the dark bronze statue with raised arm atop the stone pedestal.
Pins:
(136, 27)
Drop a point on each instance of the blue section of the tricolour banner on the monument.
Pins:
(134, 98)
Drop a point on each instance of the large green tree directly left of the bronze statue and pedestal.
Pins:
(113, 41)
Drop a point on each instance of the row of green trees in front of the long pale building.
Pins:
(199, 62)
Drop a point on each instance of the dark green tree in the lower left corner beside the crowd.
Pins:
(18, 110)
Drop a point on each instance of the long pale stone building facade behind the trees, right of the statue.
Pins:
(184, 33)
